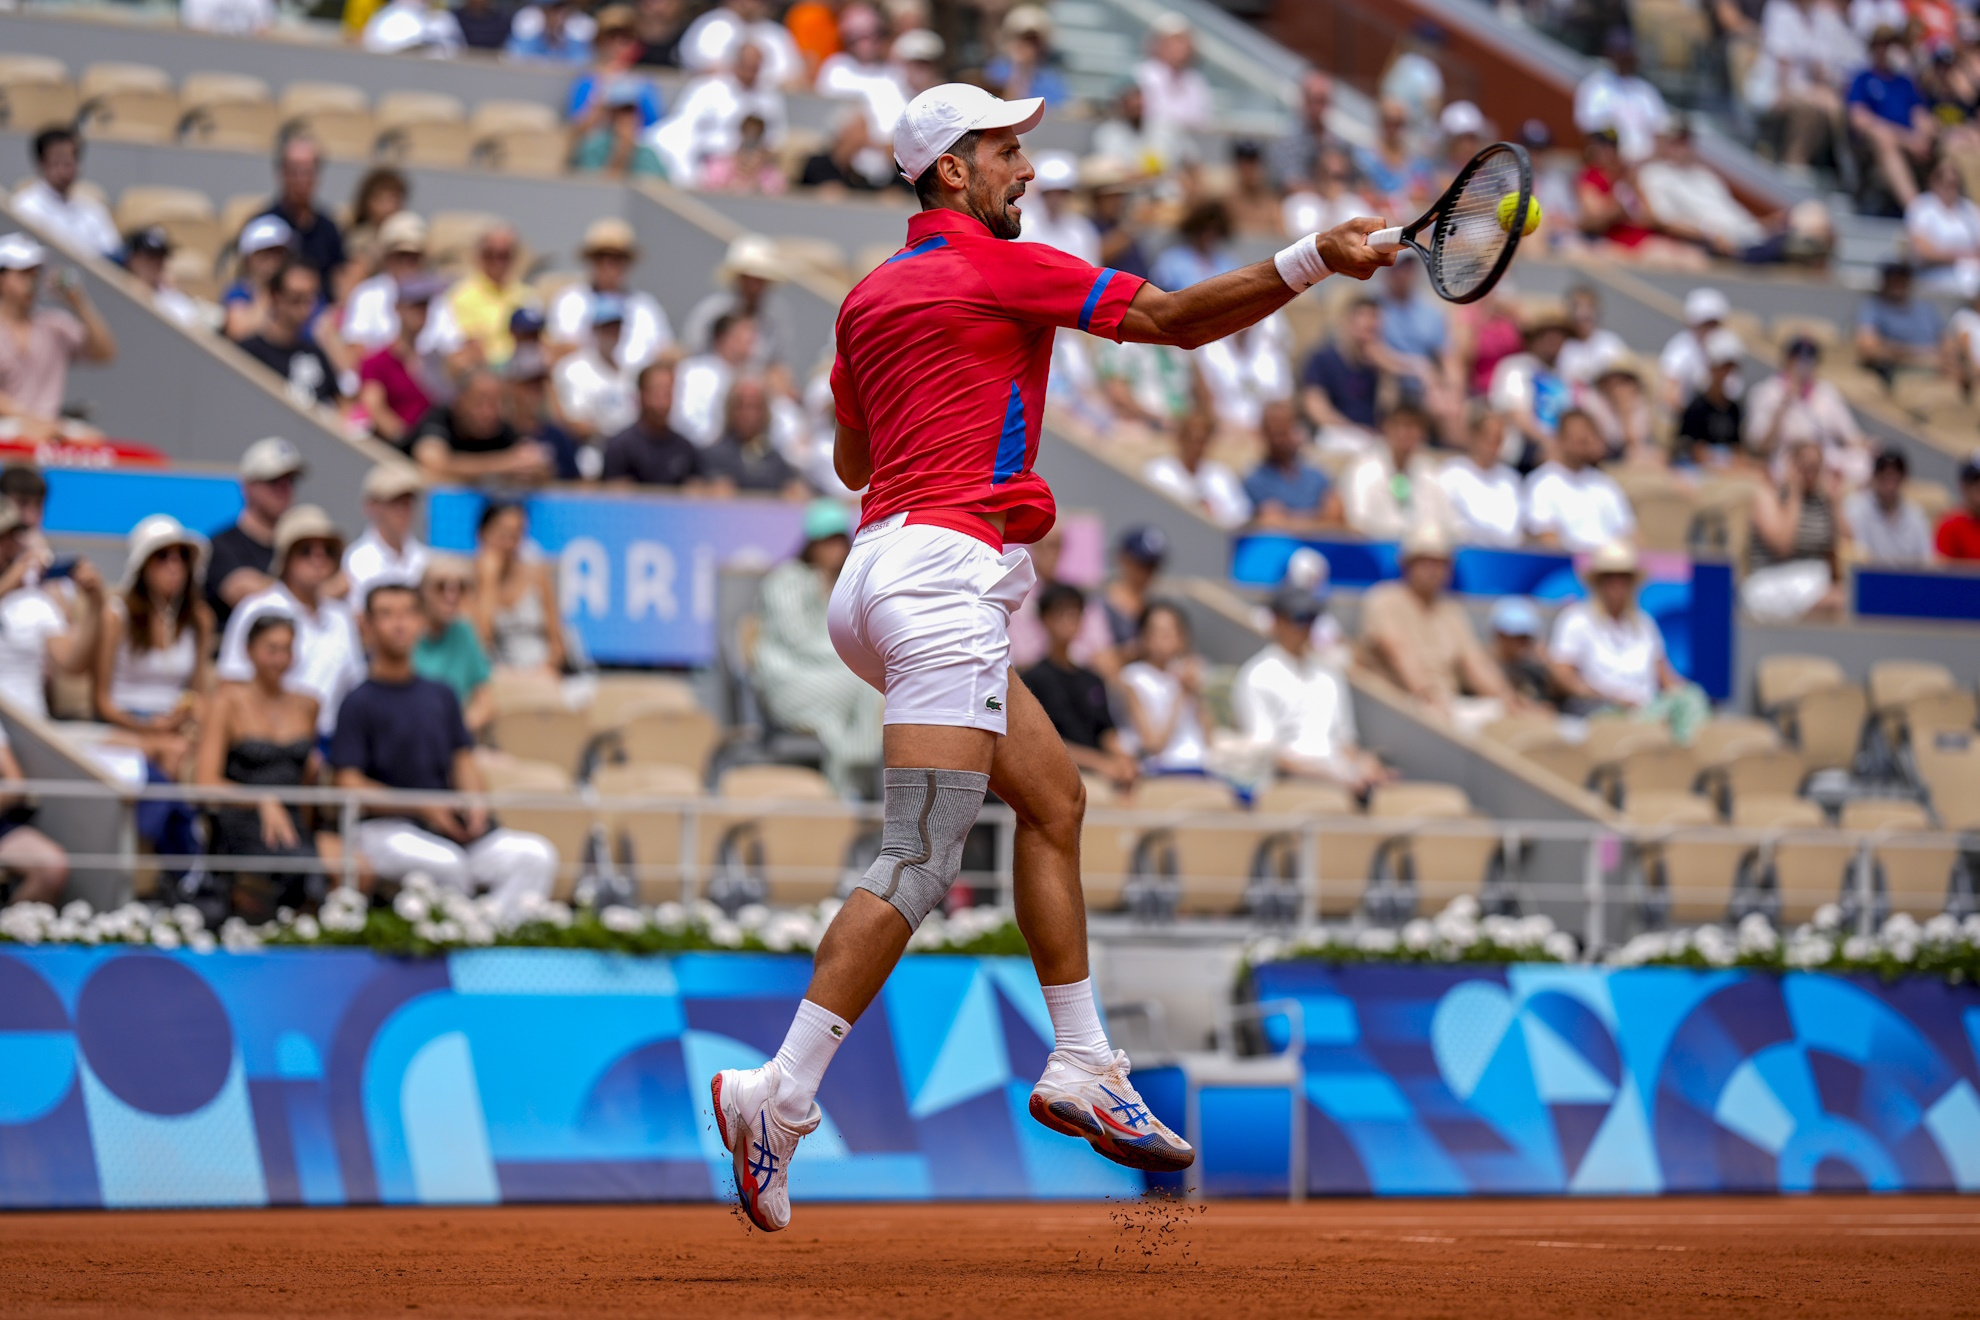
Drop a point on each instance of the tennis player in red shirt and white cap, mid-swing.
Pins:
(941, 387)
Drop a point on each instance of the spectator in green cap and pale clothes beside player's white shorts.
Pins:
(803, 682)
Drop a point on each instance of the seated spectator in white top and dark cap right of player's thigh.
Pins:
(1292, 704)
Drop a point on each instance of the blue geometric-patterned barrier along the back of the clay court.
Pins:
(344, 1078)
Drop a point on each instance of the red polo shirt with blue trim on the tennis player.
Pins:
(943, 355)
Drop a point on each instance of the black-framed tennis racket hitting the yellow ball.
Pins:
(1468, 246)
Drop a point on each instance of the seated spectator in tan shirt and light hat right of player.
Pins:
(1421, 640)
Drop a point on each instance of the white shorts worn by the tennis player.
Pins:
(924, 614)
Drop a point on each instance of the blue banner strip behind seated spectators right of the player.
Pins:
(1690, 599)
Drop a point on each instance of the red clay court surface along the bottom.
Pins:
(1880, 1258)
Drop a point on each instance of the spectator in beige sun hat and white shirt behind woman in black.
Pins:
(328, 656)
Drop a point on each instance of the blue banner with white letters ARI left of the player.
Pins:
(635, 571)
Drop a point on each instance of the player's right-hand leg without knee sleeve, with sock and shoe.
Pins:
(1086, 1087)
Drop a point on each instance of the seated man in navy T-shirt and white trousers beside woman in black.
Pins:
(403, 731)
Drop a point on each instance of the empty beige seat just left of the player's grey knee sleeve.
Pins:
(801, 858)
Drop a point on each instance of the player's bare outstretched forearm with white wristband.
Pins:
(1223, 306)
